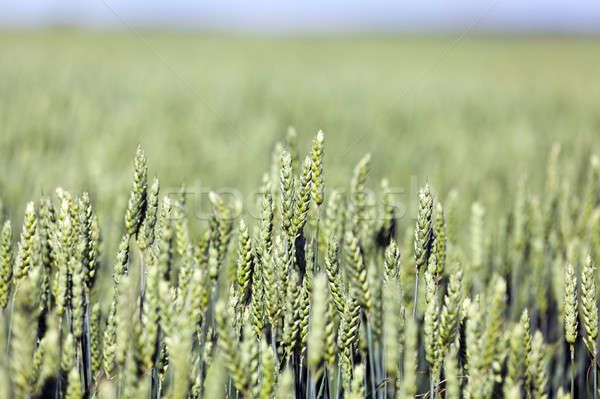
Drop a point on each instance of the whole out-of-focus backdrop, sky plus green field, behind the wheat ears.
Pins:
(469, 95)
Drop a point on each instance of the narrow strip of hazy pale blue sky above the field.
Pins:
(311, 15)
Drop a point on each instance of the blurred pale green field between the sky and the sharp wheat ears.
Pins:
(454, 110)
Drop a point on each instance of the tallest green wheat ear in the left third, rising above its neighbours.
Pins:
(136, 205)
